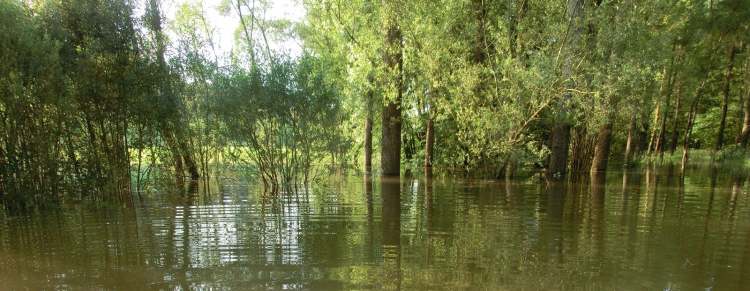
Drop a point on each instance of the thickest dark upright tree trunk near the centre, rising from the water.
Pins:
(390, 154)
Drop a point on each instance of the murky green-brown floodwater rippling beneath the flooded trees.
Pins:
(641, 230)
